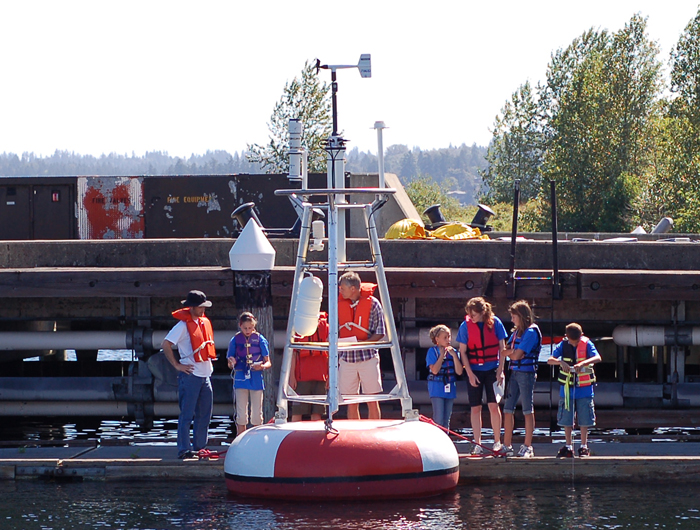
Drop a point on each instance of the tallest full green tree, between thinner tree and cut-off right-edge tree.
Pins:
(601, 97)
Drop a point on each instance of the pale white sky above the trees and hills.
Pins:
(105, 76)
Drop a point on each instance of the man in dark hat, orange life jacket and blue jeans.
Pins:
(194, 339)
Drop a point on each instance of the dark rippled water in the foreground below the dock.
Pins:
(35, 505)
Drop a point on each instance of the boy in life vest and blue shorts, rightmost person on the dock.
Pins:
(575, 356)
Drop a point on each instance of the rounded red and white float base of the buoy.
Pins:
(369, 459)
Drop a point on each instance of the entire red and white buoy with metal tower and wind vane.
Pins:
(339, 459)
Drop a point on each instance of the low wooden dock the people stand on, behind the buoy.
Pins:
(610, 462)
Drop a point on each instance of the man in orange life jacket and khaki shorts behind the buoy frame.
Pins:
(360, 315)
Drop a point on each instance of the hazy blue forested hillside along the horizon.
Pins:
(455, 169)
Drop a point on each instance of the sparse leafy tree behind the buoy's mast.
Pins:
(306, 99)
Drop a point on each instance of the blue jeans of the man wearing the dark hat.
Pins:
(196, 403)
